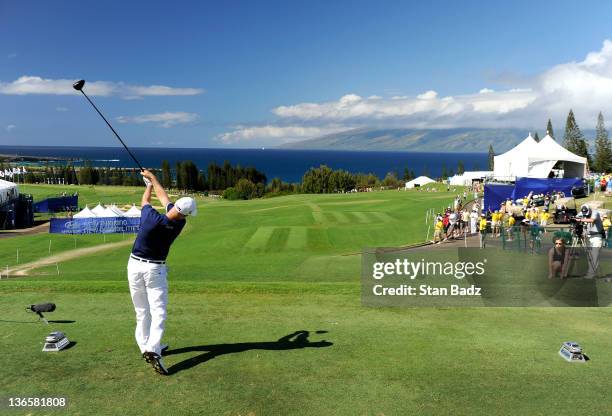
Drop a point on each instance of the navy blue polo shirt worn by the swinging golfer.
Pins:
(156, 234)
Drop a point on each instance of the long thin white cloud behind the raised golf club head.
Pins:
(36, 85)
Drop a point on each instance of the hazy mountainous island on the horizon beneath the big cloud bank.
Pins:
(419, 140)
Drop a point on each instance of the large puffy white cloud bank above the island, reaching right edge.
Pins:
(584, 86)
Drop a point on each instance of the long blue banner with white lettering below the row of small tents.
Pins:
(110, 225)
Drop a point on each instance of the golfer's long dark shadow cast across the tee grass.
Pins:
(296, 340)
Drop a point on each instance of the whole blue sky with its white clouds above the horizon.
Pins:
(250, 74)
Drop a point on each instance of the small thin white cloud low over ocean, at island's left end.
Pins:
(275, 134)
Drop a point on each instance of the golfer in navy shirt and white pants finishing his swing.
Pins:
(147, 267)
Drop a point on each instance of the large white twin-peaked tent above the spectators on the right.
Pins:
(536, 160)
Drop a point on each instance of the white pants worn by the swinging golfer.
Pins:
(149, 291)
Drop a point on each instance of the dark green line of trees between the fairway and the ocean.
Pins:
(232, 182)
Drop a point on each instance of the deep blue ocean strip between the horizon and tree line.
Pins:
(288, 165)
